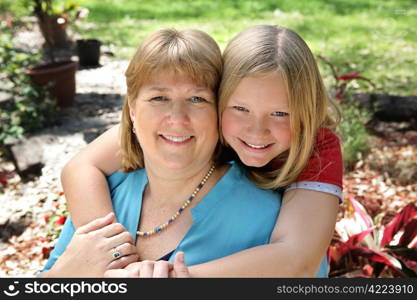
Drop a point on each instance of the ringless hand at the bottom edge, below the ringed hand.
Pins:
(153, 269)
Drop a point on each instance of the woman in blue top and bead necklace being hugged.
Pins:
(169, 127)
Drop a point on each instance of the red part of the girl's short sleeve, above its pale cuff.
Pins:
(326, 163)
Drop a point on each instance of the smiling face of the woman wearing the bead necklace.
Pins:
(175, 122)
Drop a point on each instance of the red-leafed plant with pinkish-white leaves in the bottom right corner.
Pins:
(363, 247)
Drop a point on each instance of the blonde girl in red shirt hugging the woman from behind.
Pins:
(273, 111)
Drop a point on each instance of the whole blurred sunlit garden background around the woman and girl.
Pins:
(366, 51)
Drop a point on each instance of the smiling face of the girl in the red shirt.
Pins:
(255, 122)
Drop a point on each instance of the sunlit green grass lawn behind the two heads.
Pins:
(373, 37)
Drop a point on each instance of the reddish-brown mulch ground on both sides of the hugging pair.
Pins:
(384, 181)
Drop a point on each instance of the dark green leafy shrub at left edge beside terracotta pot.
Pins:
(31, 107)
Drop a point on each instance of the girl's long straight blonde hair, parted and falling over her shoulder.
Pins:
(262, 50)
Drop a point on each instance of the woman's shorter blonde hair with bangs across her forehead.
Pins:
(190, 52)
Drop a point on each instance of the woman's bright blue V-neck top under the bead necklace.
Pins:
(235, 215)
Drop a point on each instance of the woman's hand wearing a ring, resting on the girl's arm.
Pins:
(92, 250)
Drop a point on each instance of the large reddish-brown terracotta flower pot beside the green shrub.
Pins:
(62, 77)
